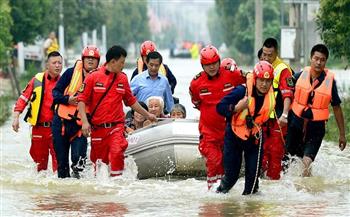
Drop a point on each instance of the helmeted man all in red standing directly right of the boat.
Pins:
(207, 89)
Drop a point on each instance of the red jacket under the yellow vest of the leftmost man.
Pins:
(46, 113)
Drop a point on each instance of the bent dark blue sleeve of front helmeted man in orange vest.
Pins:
(226, 105)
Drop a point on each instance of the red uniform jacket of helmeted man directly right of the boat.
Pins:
(206, 92)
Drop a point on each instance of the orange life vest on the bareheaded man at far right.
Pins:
(322, 95)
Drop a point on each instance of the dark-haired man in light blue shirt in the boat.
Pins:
(151, 83)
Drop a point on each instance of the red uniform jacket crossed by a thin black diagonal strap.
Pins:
(111, 107)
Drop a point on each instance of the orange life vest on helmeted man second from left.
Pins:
(71, 111)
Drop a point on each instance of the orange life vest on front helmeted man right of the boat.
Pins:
(238, 123)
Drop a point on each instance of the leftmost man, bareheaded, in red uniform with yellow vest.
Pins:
(38, 93)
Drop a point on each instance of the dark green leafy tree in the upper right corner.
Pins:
(333, 22)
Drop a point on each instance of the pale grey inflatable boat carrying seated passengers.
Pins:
(168, 148)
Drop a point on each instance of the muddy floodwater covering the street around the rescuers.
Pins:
(24, 192)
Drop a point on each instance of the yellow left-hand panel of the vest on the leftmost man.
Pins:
(36, 99)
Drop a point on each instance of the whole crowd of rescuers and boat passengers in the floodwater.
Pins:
(248, 112)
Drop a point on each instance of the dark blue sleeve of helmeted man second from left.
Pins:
(62, 83)
